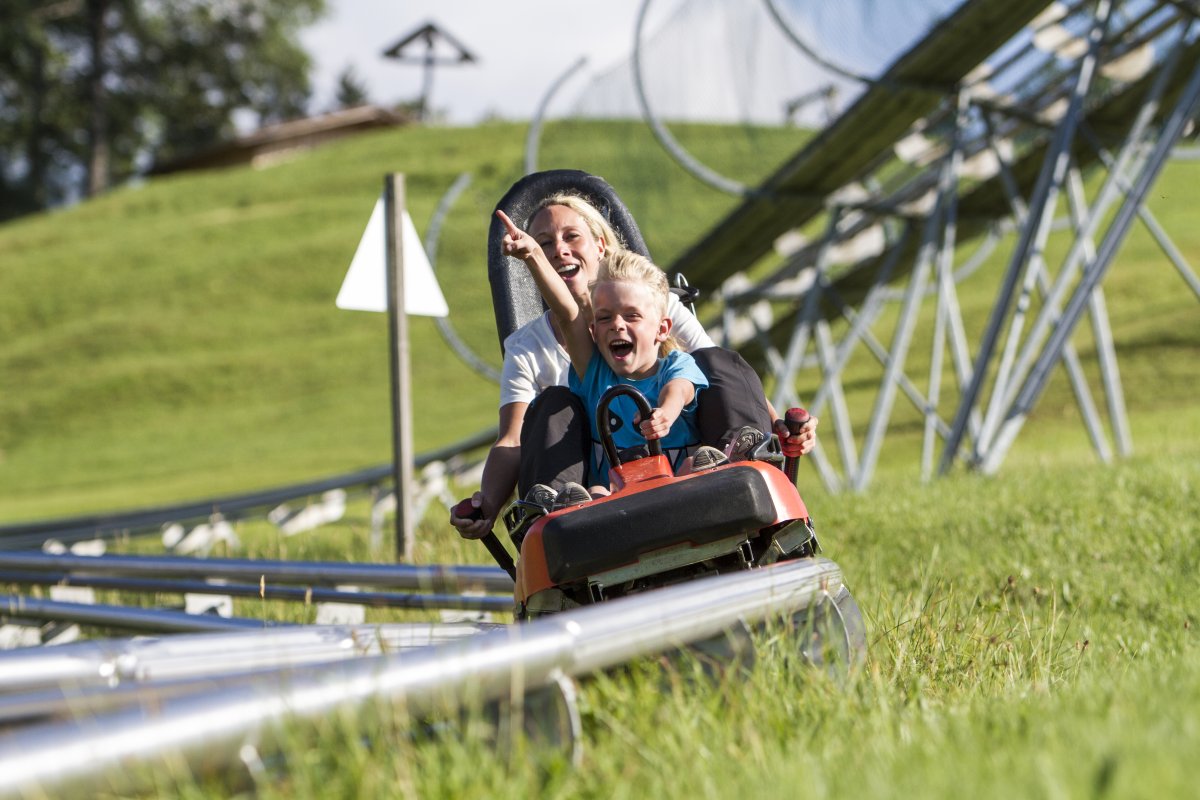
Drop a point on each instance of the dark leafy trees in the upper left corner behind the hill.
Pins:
(93, 92)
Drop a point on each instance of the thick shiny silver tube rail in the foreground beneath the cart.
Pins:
(218, 729)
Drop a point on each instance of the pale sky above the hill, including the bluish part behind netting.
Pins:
(721, 61)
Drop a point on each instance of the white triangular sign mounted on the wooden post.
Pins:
(365, 287)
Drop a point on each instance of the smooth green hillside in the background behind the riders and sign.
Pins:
(178, 340)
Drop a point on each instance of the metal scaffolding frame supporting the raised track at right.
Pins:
(1007, 151)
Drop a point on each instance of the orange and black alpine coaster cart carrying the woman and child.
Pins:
(656, 530)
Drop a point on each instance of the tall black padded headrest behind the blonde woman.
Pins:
(514, 294)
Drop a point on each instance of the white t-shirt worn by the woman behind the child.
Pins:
(535, 360)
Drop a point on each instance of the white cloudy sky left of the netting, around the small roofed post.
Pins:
(521, 50)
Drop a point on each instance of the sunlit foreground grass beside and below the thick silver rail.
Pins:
(1031, 635)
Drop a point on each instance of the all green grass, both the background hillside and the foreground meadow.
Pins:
(1031, 634)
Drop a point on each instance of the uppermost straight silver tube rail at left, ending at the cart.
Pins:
(393, 576)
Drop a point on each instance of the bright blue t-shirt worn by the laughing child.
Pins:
(601, 377)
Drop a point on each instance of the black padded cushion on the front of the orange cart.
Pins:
(704, 509)
